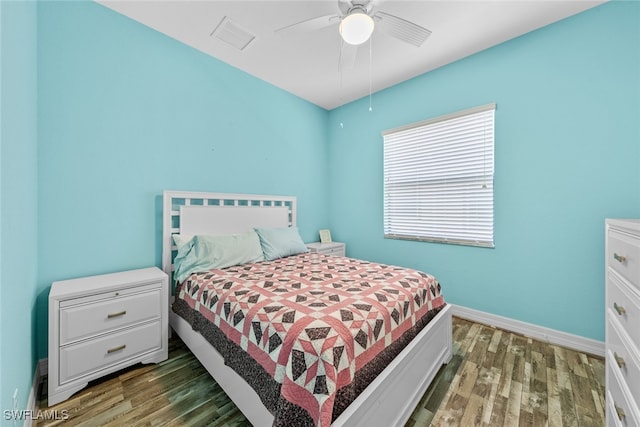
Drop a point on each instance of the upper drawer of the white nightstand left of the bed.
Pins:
(86, 320)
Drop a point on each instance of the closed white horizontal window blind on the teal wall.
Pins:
(438, 179)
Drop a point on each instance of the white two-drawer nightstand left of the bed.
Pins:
(101, 324)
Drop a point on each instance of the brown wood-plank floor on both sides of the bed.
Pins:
(495, 378)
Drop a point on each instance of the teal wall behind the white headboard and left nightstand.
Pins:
(125, 113)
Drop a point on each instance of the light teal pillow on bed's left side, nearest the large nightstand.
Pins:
(204, 253)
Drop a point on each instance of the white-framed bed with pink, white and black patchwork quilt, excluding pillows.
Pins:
(385, 393)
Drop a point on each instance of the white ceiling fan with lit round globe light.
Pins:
(356, 20)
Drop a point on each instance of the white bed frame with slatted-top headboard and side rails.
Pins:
(388, 401)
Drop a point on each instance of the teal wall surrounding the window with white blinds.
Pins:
(567, 156)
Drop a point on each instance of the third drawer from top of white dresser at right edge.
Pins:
(623, 356)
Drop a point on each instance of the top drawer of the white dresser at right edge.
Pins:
(623, 255)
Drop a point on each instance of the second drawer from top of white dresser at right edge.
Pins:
(624, 305)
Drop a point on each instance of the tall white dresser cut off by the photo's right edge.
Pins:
(623, 322)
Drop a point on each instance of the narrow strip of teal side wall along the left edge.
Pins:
(18, 200)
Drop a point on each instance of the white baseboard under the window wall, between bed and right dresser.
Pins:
(552, 336)
